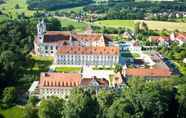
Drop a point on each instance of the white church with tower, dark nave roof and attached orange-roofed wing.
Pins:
(46, 43)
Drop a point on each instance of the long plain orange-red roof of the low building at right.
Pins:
(143, 72)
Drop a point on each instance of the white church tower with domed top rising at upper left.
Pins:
(41, 30)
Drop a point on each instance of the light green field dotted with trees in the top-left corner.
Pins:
(9, 8)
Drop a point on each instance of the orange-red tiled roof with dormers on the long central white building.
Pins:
(88, 50)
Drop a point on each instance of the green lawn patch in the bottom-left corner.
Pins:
(13, 112)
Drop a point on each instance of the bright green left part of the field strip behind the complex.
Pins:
(116, 23)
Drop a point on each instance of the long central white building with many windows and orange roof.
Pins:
(77, 55)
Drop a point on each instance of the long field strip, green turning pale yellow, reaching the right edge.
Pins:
(154, 25)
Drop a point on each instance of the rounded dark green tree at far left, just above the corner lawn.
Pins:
(9, 95)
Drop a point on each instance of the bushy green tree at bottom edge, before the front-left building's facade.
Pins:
(51, 108)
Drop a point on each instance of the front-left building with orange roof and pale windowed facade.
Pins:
(58, 84)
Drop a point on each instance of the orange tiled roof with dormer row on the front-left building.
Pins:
(52, 79)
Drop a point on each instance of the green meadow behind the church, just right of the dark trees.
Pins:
(79, 26)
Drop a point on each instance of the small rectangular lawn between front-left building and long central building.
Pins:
(68, 69)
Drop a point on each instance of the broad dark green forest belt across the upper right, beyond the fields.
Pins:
(137, 10)
